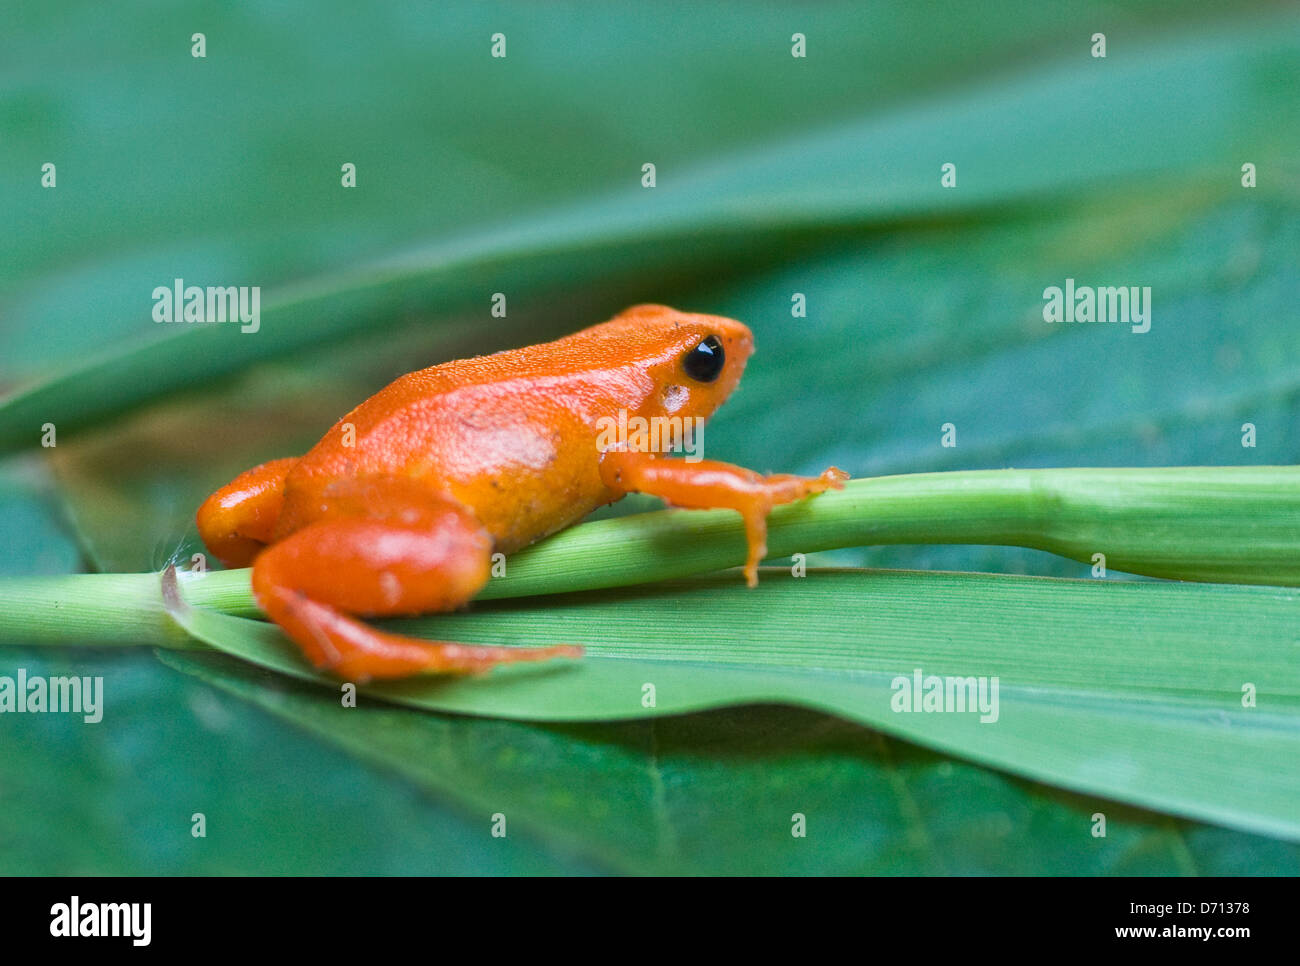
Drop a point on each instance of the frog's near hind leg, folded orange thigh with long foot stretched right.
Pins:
(382, 555)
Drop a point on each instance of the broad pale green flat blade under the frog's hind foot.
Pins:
(1130, 691)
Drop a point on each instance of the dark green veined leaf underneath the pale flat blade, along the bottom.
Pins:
(717, 792)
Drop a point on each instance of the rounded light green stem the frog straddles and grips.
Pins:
(1220, 525)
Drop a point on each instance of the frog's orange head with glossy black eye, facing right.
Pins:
(695, 361)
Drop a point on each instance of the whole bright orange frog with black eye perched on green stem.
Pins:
(400, 508)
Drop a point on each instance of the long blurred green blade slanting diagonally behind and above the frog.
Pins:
(1016, 141)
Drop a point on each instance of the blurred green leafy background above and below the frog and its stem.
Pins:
(523, 175)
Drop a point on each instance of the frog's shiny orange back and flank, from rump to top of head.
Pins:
(513, 436)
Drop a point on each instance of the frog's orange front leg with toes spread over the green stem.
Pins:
(713, 486)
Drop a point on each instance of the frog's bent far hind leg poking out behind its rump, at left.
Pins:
(239, 521)
